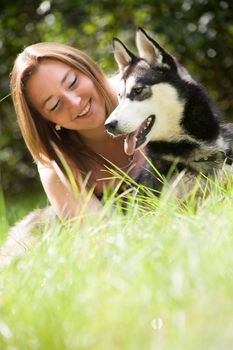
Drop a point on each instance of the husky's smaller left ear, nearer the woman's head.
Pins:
(122, 55)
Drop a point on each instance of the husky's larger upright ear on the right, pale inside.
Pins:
(151, 51)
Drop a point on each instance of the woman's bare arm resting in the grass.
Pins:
(64, 201)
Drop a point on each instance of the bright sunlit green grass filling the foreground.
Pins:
(155, 278)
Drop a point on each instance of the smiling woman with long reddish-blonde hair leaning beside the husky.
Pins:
(62, 98)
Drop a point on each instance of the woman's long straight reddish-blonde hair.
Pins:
(39, 134)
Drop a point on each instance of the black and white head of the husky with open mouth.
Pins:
(149, 104)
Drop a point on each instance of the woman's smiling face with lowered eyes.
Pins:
(66, 96)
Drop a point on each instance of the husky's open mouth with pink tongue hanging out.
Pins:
(135, 139)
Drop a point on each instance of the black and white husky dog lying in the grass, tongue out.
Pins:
(163, 107)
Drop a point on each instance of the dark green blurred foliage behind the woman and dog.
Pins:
(199, 33)
